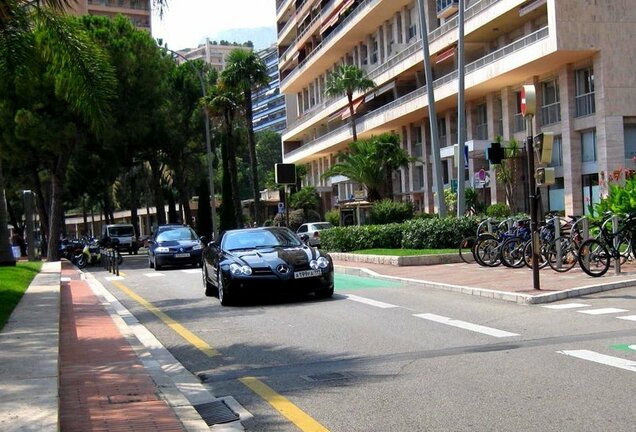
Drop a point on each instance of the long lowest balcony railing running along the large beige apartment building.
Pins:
(471, 67)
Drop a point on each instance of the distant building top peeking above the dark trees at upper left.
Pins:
(139, 11)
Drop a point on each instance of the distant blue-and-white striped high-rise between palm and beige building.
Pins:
(268, 103)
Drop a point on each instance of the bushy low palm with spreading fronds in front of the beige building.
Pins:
(371, 162)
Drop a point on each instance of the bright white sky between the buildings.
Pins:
(186, 23)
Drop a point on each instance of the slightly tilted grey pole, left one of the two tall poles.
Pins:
(432, 114)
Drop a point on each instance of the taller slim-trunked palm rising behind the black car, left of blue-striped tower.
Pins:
(246, 71)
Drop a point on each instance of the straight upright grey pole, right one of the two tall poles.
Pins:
(461, 115)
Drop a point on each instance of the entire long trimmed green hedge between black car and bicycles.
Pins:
(434, 233)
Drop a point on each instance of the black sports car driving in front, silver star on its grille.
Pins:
(259, 259)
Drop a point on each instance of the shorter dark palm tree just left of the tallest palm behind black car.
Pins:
(223, 103)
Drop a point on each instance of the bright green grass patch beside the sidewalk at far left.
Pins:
(13, 283)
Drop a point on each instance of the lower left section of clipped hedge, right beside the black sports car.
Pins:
(345, 239)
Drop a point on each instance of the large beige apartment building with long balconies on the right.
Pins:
(577, 53)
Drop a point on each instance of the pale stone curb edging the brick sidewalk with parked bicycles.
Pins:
(492, 294)
